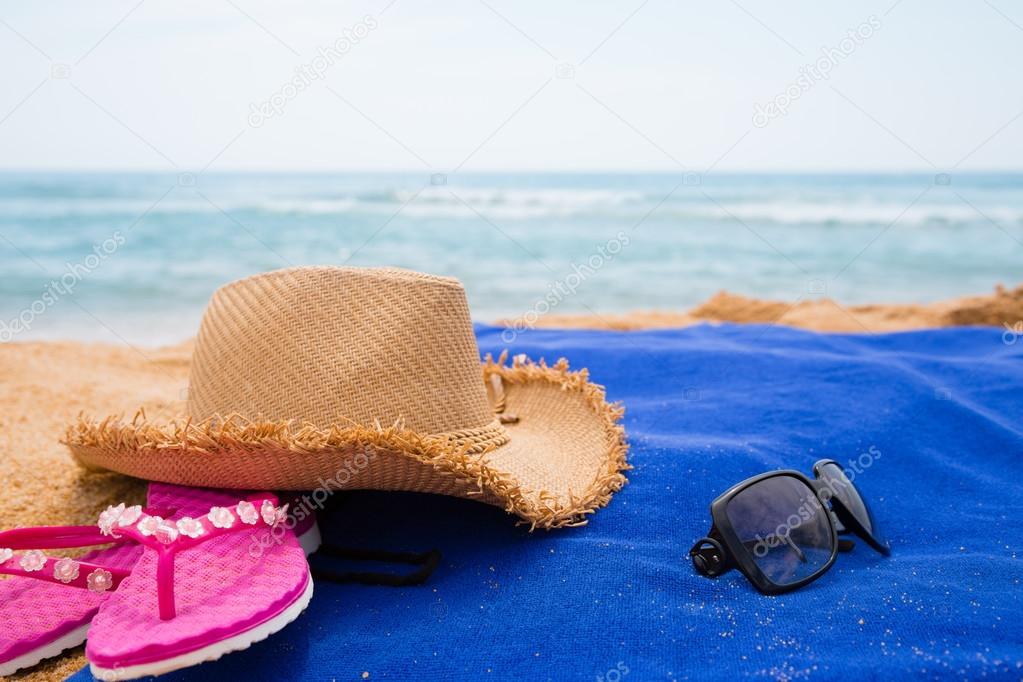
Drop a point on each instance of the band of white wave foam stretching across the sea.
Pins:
(459, 203)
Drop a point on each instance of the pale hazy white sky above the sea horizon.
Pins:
(500, 85)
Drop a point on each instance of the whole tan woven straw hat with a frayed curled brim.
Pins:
(325, 378)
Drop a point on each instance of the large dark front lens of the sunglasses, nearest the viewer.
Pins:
(783, 528)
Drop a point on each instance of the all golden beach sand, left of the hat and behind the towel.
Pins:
(46, 386)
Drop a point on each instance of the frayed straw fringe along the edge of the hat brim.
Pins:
(234, 434)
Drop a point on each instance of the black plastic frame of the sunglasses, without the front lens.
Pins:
(723, 550)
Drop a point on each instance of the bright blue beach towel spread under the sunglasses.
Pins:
(940, 415)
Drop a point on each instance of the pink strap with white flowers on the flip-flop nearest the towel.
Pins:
(169, 538)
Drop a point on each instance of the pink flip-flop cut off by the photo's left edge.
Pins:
(43, 618)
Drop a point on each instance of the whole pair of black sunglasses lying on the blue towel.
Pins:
(781, 529)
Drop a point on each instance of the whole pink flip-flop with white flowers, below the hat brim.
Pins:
(226, 575)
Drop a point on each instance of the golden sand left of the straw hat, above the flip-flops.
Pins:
(46, 386)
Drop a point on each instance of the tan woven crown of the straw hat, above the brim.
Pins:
(341, 346)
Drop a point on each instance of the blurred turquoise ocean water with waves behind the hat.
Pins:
(136, 257)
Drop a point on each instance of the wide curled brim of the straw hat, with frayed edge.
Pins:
(566, 456)
